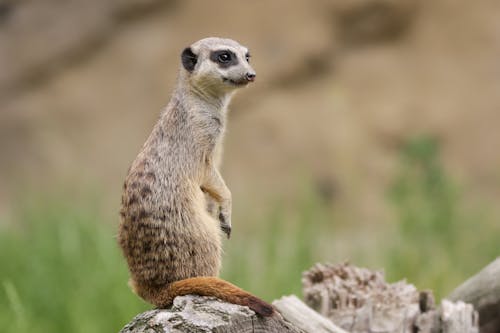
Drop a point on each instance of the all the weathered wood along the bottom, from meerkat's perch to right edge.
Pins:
(348, 299)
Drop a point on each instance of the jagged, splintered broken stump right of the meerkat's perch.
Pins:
(360, 300)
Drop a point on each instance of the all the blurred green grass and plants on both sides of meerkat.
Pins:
(61, 270)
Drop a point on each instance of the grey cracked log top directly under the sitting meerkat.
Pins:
(206, 314)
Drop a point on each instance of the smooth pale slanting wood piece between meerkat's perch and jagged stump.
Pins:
(303, 317)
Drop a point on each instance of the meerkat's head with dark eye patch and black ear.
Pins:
(217, 65)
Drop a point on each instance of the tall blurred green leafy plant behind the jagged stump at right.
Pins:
(440, 238)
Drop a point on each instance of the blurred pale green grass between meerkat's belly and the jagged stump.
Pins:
(270, 258)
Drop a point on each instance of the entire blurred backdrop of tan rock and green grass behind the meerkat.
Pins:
(371, 135)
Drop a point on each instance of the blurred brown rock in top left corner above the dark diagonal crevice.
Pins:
(40, 37)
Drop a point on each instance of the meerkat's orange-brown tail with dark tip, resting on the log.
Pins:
(204, 286)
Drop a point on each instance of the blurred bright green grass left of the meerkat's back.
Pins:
(62, 272)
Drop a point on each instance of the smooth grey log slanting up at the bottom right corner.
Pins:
(483, 291)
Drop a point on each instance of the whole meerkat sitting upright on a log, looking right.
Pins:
(170, 233)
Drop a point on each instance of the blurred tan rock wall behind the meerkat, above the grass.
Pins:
(82, 82)
